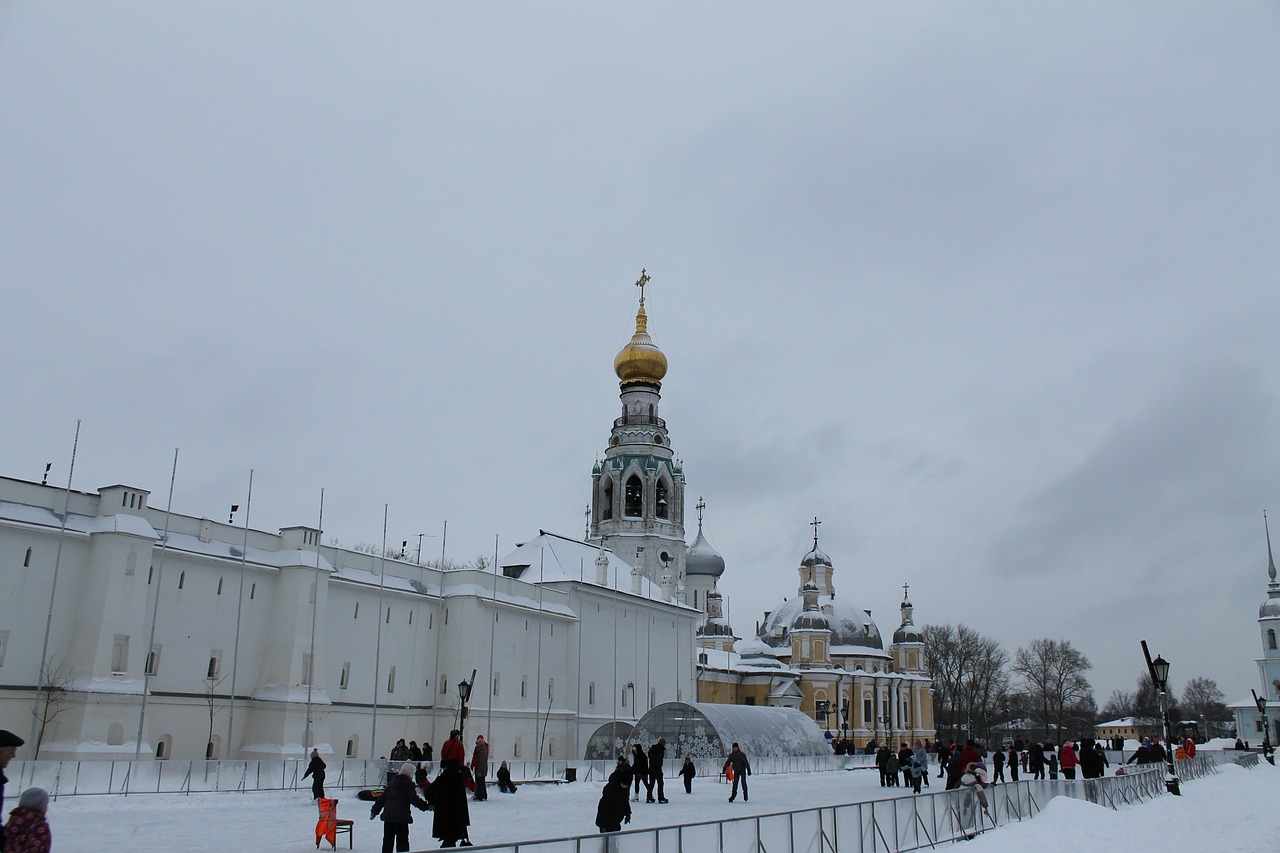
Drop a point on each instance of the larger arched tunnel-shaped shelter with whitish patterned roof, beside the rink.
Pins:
(706, 731)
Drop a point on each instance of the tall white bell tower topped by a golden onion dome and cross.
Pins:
(638, 489)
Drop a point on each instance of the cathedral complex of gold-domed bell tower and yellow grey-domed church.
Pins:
(815, 653)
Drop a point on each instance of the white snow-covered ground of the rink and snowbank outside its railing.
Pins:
(1232, 811)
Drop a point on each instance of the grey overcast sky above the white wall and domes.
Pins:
(991, 288)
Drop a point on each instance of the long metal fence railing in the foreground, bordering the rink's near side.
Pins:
(894, 825)
